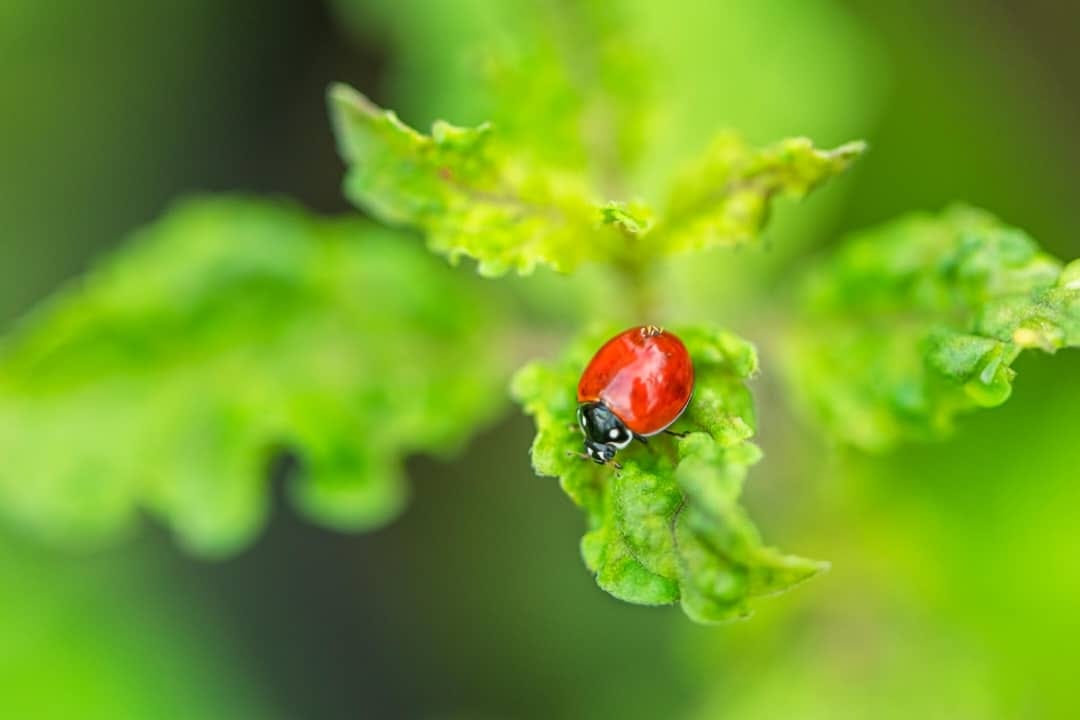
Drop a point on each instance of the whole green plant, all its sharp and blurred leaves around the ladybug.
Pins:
(235, 331)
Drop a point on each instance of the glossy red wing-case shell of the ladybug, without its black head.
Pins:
(644, 376)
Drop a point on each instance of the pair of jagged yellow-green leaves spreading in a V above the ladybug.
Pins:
(472, 197)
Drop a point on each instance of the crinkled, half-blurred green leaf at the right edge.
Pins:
(916, 322)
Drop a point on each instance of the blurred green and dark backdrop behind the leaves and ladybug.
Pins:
(956, 567)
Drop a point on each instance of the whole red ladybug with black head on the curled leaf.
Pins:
(637, 386)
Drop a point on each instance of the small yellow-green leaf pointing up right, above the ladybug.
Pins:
(723, 199)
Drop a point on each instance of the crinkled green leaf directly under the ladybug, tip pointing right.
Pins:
(668, 527)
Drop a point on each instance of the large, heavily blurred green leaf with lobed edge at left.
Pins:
(226, 334)
